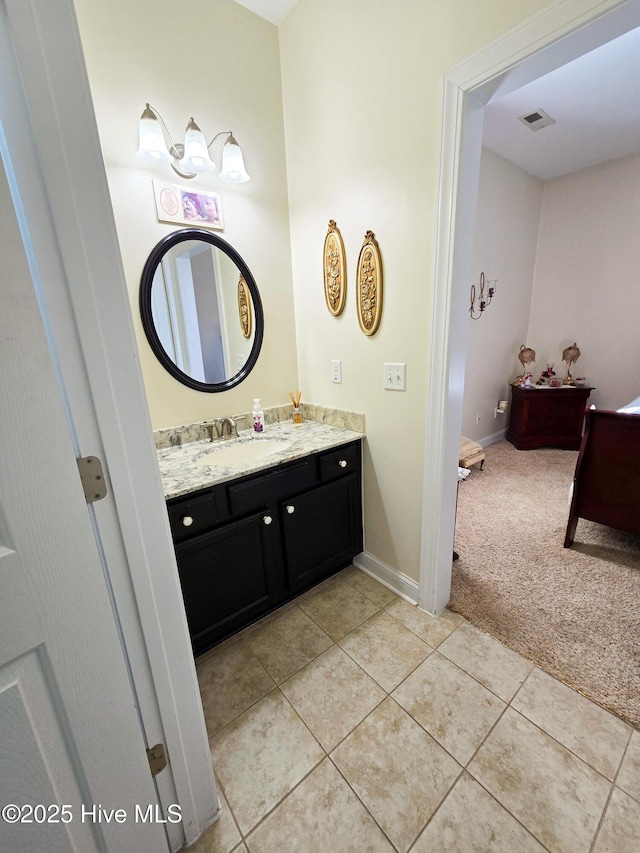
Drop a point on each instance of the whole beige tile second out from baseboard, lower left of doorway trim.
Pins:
(385, 649)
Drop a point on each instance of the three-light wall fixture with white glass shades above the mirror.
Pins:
(191, 158)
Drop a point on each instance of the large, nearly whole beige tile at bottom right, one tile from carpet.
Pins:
(555, 795)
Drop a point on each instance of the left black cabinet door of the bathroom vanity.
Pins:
(228, 577)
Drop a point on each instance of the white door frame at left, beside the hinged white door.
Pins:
(92, 332)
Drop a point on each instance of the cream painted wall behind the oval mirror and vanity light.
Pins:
(217, 61)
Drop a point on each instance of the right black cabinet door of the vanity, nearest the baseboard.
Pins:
(322, 531)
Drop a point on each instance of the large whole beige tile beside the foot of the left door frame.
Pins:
(261, 756)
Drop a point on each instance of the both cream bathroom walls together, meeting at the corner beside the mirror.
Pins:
(361, 88)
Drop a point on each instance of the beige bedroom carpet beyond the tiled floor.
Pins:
(574, 612)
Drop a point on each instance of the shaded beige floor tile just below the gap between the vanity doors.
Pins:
(287, 643)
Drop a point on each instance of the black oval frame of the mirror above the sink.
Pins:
(148, 325)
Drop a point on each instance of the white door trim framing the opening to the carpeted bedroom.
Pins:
(559, 33)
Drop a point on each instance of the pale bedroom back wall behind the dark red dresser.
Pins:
(586, 279)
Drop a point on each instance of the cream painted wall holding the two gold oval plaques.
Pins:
(362, 88)
